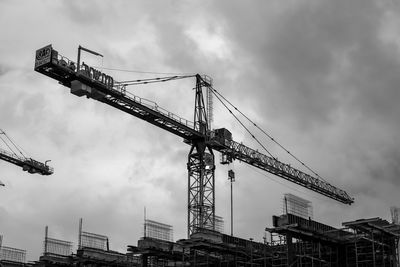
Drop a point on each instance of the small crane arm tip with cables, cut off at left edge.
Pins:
(15, 156)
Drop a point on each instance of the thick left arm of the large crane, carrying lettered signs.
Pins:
(94, 84)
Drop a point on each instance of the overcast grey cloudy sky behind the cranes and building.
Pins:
(322, 77)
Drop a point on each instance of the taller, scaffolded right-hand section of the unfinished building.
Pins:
(298, 242)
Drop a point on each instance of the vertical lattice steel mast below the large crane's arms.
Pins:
(201, 192)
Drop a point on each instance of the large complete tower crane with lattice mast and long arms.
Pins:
(84, 80)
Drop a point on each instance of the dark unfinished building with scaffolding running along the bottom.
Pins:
(292, 241)
